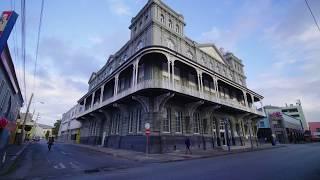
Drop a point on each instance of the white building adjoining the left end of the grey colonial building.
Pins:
(69, 130)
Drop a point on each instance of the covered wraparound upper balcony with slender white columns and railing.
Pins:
(161, 70)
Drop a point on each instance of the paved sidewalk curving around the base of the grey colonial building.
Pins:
(178, 155)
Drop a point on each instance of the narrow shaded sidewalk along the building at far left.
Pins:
(13, 151)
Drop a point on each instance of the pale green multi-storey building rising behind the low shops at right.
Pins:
(296, 112)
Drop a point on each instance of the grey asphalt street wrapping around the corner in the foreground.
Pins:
(301, 161)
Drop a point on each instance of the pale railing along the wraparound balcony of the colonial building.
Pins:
(165, 84)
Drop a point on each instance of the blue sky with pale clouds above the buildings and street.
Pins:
(277, 41)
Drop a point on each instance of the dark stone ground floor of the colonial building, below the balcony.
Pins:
(173, 119)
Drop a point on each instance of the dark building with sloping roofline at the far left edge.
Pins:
(10, 97)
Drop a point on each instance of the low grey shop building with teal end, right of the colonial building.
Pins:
(285, 128)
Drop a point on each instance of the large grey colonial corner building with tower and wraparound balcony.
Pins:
(182, 88)
